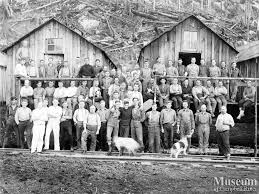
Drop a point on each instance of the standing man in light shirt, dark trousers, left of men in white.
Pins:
(22, 119)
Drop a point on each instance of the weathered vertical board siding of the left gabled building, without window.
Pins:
(73, 46)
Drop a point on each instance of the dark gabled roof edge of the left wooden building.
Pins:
(44, 24)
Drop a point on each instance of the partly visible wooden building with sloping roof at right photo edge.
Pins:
(248, 61)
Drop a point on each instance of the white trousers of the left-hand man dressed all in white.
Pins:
(38, 131)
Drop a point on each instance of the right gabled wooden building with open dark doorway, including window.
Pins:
(188, 38)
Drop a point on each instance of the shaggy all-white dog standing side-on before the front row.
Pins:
(129, 144)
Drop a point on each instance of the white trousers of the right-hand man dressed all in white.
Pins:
(52, 125)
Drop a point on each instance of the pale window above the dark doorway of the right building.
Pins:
(190, 40)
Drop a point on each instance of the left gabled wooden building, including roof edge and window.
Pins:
(56, 40)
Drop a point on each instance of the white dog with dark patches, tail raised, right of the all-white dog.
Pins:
(180, 146)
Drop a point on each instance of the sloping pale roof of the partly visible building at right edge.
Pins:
(249, 51)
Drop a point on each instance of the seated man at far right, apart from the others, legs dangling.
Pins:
(247, 100)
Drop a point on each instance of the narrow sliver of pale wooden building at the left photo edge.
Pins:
(3, 78)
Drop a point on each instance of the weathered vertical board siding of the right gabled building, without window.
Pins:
(170, 44)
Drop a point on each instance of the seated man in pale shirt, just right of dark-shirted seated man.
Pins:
(200, 94)
